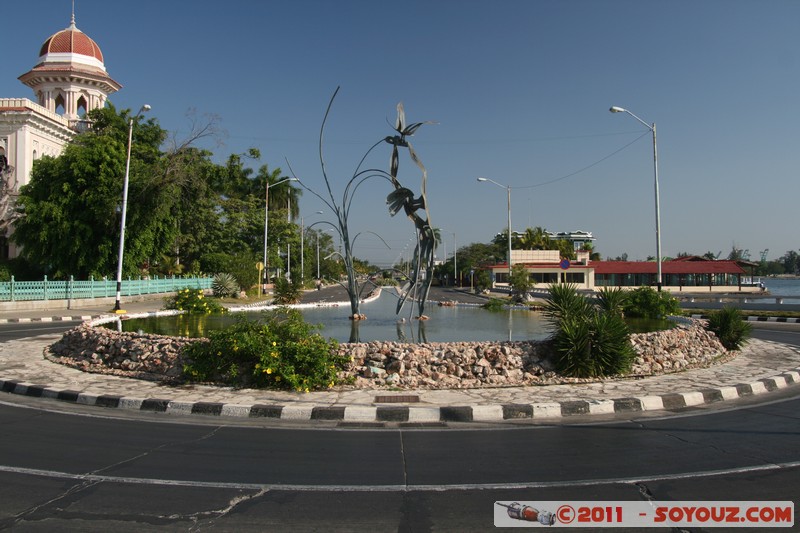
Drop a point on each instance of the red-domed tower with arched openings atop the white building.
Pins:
(70, 77)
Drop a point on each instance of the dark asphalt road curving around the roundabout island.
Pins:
(77, 471)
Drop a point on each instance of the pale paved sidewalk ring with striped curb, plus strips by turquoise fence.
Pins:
(760, 368)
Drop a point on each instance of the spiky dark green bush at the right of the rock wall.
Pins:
(587, 341)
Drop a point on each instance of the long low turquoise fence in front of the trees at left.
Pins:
(17, 291)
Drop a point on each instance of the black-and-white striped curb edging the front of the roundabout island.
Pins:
(413, 415)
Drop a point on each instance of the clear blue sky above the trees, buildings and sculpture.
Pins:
(520, 90)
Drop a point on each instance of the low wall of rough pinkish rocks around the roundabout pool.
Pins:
(376, 364)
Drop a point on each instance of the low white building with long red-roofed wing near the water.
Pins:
(687, 274)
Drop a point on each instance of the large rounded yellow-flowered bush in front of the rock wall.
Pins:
(282, 352)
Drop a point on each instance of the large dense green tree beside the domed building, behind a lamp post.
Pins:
(72, 203)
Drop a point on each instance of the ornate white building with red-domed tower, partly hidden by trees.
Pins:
(68, 80)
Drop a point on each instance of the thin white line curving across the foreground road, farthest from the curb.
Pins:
(393, 488)
